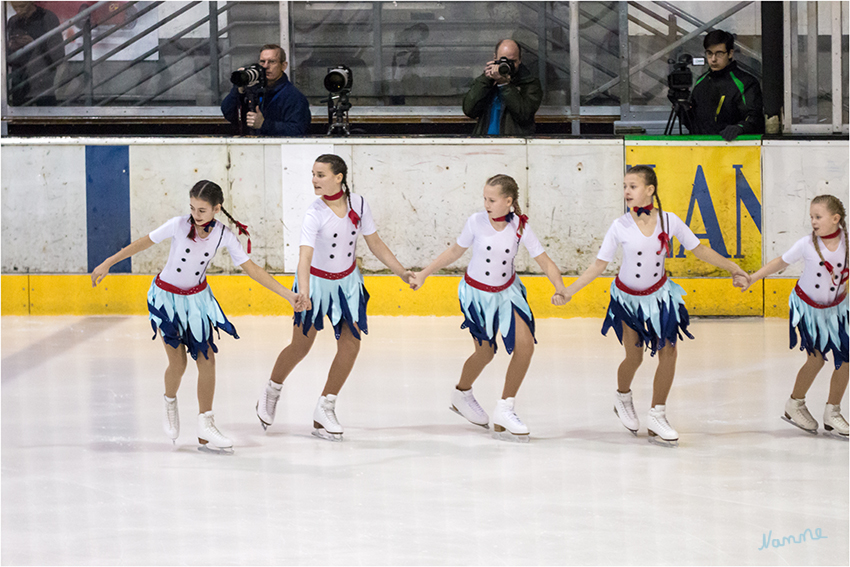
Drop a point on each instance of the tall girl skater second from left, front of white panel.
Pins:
(329, 283)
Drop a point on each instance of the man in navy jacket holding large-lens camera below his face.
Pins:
(275, 108)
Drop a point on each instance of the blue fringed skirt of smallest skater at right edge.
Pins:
(822, 330)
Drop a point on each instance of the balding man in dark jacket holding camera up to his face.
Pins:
(504, 104)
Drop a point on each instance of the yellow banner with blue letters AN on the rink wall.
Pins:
(716, 191)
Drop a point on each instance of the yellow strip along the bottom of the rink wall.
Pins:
(123, 294)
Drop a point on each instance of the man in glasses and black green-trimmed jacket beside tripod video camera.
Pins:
(725, 100)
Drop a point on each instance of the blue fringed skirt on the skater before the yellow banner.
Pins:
(658, 318)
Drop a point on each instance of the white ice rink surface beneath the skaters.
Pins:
(89, 477)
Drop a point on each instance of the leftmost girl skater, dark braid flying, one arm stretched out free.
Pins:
(182, 306)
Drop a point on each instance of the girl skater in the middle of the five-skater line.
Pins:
(493, 300)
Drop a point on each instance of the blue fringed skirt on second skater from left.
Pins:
(343, 301)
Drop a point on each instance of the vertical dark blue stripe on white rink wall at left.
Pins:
(107, 204)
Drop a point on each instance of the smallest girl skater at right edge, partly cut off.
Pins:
(818, 312)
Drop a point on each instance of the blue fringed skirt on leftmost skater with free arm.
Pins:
(188, 319)
